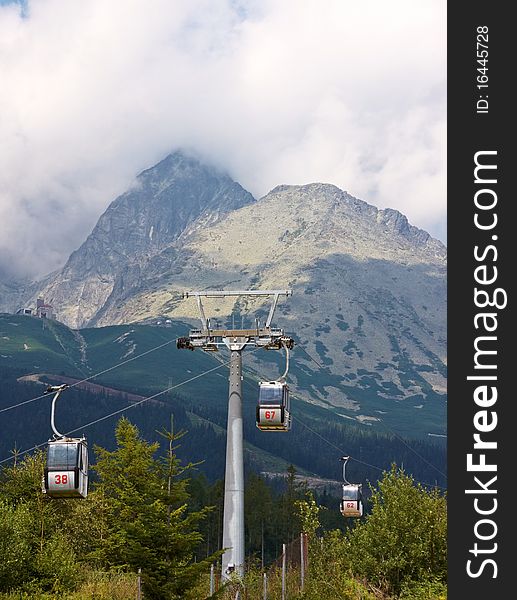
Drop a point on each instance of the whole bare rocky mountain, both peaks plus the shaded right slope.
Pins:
(369, 290)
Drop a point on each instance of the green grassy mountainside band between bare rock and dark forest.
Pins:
(35, 346)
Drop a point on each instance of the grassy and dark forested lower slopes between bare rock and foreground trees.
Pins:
(40, 350)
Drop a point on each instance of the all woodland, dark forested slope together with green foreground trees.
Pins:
(151, 526)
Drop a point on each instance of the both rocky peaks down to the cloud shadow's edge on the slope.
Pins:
(188, 224)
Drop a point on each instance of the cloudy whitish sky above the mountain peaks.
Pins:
(274, 91)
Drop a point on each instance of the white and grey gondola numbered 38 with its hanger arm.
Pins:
(66, 470)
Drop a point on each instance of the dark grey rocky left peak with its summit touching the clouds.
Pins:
(165, 206)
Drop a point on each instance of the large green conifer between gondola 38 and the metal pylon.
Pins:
(148, 525)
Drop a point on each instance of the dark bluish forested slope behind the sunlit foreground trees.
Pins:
(314, 445)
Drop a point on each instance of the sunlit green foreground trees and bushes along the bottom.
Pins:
(151, 528)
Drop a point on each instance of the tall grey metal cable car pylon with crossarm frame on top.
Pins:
(210, 340)
